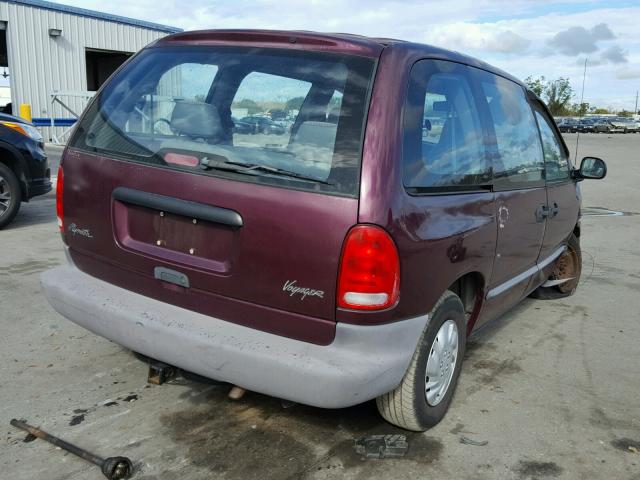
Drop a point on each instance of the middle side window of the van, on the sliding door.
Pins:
(517, 157)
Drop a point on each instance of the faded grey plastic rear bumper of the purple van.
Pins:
(362, 363)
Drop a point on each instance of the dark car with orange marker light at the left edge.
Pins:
(24, 167)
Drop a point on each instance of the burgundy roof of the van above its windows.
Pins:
(337, 42)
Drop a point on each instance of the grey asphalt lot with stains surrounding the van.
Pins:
(552, 387)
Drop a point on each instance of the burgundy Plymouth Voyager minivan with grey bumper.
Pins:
(392, 198)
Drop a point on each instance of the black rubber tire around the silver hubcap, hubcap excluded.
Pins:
(407, 405)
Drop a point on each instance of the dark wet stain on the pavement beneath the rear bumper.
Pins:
(245, 438)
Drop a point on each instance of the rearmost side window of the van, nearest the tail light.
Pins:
(443, 144)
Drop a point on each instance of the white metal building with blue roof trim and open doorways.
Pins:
(57, 55)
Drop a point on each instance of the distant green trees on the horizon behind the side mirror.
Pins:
(558, 96)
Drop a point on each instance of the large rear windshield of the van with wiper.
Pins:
(279, 117)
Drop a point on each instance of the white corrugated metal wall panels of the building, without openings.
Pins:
(40, 64)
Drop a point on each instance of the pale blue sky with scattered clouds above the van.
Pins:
(523, 37)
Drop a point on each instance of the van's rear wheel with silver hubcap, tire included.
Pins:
(424, 395)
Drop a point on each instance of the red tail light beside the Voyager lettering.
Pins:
(369, 277)
